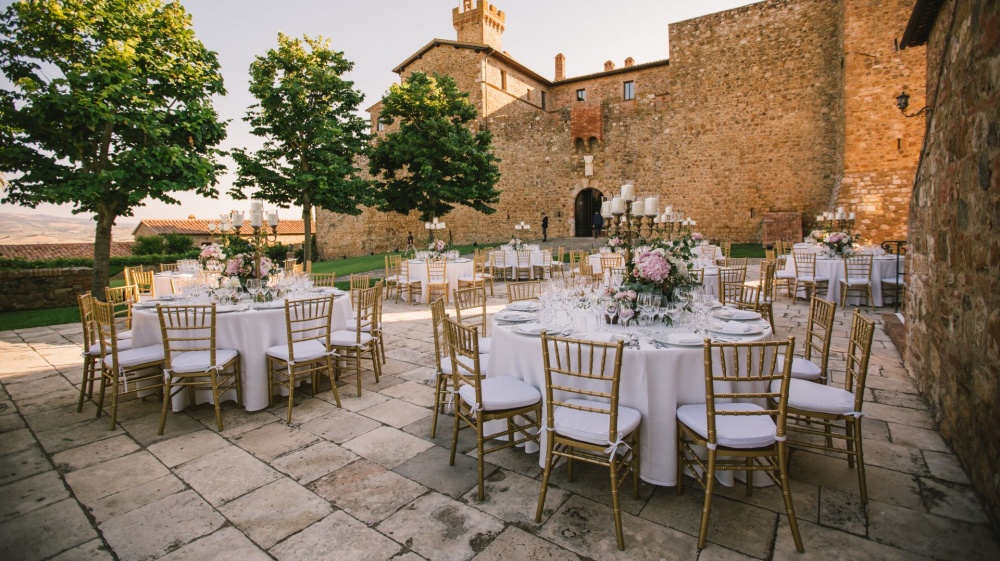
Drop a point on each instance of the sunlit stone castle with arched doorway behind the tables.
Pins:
(748, 118)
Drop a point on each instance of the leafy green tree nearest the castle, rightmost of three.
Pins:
(434, 160)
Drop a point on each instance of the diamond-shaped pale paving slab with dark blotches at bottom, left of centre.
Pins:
(442, 529)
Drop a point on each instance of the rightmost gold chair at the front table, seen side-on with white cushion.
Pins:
(836, 411)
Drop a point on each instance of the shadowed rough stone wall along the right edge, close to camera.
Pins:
(953, 306)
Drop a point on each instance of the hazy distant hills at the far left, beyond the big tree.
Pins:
(42, 228)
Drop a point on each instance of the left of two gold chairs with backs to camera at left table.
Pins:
(192, 360)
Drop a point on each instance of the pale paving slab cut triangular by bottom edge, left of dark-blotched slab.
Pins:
(338, 537)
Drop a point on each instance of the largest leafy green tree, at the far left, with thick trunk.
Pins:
(110, 105)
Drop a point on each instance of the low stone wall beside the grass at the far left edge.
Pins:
(37, 289)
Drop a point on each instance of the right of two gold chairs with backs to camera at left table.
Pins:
(306, 352)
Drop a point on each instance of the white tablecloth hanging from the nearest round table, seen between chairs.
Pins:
(654, 381)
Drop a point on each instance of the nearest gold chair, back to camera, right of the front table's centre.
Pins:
(739, 434)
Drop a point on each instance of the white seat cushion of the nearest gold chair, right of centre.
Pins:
(743, 431)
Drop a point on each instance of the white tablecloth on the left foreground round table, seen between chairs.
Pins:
(250, 332)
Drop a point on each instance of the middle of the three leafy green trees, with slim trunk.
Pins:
(306, 114)
